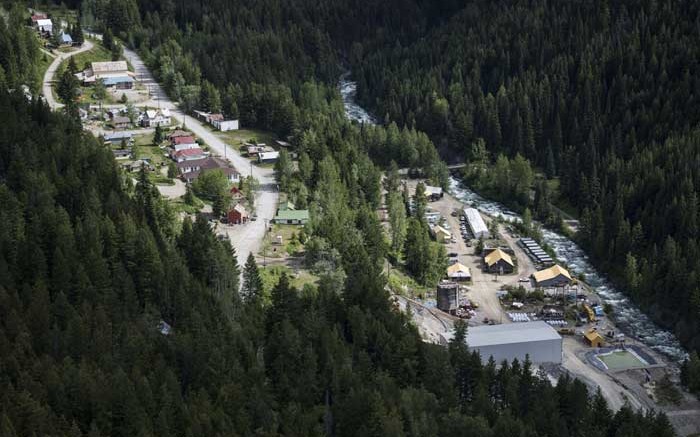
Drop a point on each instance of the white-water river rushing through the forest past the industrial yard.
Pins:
(632, 321)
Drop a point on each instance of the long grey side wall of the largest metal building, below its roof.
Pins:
(545, 351)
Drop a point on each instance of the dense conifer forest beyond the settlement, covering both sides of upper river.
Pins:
(599, 96)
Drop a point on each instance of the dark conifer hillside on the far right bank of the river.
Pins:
(602, 95)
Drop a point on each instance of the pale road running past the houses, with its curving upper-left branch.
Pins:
(246, 238)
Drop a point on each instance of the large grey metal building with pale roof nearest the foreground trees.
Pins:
(538, 340)
